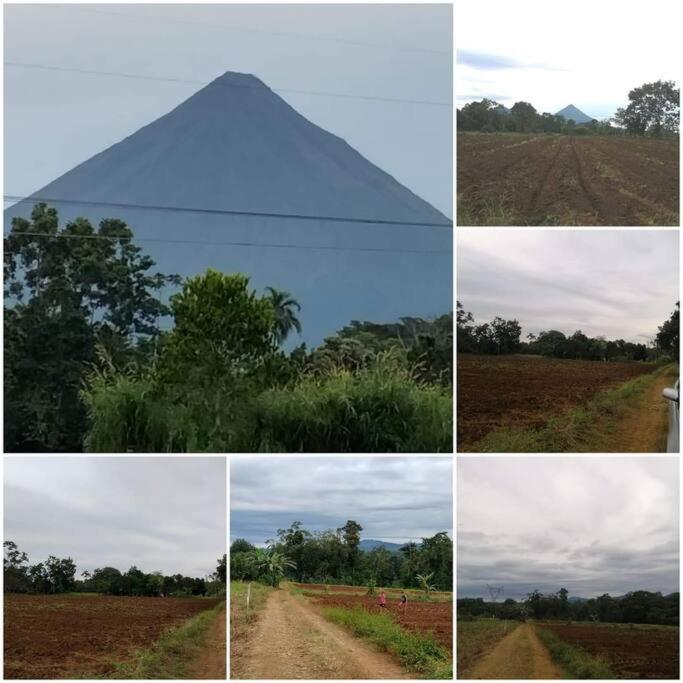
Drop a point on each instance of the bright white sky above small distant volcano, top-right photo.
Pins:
(590, 54)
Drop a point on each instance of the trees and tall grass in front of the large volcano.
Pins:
(88, 367)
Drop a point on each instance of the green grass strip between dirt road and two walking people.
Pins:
(417, 652)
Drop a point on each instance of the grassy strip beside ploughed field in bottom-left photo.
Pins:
(170, 656)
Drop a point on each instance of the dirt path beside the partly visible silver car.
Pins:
(644, 428)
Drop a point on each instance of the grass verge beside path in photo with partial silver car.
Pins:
(579, 430)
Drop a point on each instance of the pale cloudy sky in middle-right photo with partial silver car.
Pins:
(621, 284)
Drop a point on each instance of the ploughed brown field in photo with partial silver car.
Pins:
(524, 391)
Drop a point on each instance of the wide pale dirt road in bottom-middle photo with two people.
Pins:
(292, 641)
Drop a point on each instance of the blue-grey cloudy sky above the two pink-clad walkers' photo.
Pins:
(394, 499)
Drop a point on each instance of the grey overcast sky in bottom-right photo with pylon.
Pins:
(591, 525)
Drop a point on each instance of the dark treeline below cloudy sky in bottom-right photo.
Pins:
(637, 607)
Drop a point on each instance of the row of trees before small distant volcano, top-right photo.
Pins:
(653, 109)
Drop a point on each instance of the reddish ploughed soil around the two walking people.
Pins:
(420, 617)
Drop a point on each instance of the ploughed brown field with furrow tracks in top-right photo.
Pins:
(516, 179)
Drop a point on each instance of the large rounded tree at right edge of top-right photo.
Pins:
(653, 108)
